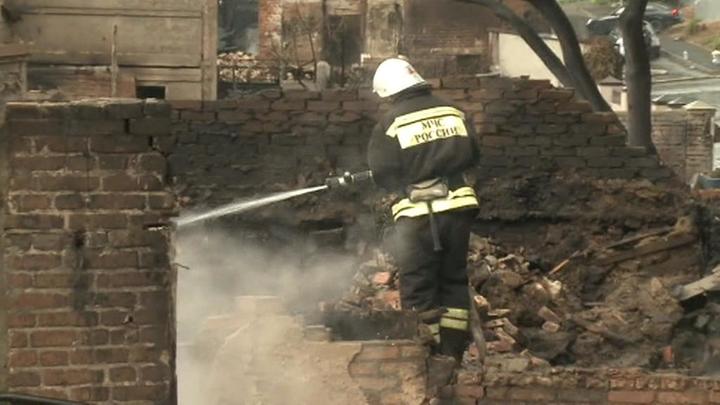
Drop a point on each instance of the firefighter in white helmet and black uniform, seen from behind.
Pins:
(419, 150)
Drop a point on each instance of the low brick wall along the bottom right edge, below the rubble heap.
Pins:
(583, 386)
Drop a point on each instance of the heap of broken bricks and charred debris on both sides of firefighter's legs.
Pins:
(618, 304)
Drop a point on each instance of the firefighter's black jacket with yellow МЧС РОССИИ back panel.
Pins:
(421, 137)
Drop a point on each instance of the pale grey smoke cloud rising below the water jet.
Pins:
(219, 266)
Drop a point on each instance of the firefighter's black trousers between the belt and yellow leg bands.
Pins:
(429, 279)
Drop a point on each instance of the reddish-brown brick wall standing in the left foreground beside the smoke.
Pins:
(89, 285)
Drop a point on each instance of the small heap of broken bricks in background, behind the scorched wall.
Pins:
(241, 67)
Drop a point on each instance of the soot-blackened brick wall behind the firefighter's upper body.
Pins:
(239, 147)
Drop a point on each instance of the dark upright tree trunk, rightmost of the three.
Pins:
(637, 75)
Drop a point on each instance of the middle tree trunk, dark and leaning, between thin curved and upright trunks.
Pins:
(574, 62)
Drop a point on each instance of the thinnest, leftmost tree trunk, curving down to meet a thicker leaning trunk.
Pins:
(551, 61)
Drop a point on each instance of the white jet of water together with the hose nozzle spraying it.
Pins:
(246, 205)
